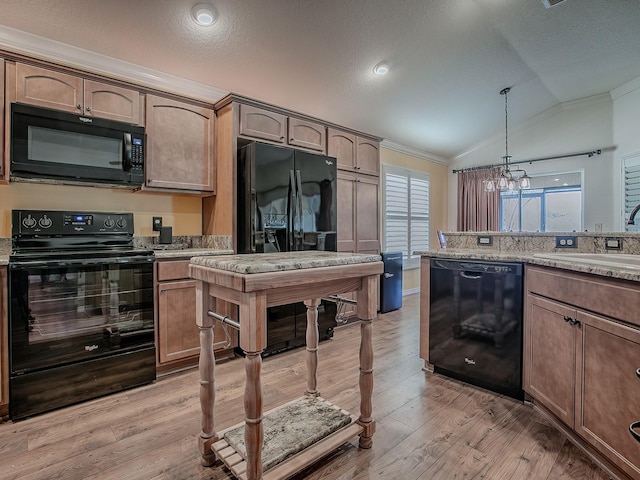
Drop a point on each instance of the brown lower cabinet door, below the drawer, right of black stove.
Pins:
(178, 334)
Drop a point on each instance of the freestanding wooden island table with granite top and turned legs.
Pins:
(255, 282)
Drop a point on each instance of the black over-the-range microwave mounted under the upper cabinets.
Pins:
(74, 148)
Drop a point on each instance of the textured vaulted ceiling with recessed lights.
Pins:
(449, 58)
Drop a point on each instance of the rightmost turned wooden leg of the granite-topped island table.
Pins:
(366, 310)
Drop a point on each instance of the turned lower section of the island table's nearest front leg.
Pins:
(253, 431)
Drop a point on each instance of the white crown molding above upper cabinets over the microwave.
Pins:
(51, 50)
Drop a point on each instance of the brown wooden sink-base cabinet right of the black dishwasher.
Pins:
(582, 365)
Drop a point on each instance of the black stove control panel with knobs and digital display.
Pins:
(69, 223)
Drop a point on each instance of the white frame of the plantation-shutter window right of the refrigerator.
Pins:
(409, 261)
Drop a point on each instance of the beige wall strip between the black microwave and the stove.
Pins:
(182, 212)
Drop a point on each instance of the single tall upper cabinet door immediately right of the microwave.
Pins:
(180, 145)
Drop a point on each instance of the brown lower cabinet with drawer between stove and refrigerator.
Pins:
(178, 337)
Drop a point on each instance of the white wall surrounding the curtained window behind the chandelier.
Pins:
(582, 125)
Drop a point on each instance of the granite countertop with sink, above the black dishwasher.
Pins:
(611, 271)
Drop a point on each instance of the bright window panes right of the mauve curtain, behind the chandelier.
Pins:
(552, 204)
